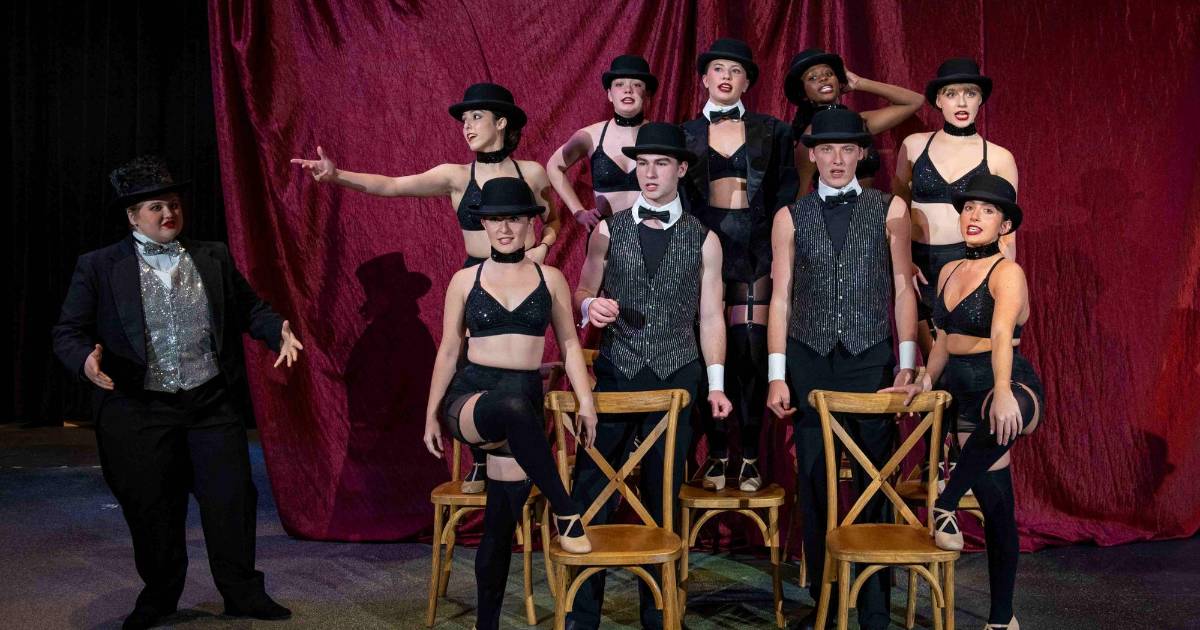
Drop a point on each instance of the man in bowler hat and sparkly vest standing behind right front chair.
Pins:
(842, 262)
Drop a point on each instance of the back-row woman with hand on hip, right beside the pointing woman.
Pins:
(628, 83)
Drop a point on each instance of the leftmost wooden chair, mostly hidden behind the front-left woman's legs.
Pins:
(451, 505)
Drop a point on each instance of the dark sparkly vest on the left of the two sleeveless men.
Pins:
(658, 317)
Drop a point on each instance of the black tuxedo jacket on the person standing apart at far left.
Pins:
(104, 305)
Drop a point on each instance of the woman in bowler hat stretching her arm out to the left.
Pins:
(491, 123)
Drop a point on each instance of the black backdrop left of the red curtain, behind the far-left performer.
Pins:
(91, 86)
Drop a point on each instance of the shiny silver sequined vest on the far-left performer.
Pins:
(181, 352)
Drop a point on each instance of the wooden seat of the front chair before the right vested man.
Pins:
(885, 544)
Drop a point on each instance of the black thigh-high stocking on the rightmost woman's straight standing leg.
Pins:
(995, 494)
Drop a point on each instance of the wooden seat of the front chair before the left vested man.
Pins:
(620, 545)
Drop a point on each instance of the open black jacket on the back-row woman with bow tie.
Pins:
(772, 181)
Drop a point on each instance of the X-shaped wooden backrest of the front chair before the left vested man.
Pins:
(670, 403)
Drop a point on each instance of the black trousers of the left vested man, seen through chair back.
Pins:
(615, 437)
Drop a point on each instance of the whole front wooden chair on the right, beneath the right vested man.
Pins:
(881, 545)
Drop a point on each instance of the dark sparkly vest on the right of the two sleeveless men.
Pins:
(842, 297)
